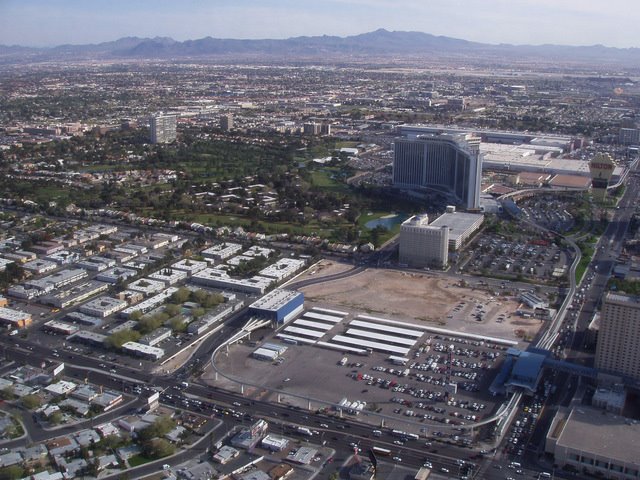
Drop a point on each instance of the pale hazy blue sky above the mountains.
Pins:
(569, 22)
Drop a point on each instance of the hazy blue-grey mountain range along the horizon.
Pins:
(378, 44)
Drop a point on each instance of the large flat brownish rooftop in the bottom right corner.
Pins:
(602, 434)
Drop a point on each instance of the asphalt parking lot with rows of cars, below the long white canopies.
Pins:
(442, 384)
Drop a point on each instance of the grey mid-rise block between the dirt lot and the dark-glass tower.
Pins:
(423, 245)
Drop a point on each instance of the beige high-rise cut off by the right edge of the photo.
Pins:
(618, 347)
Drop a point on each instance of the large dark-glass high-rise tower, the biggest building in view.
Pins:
(449, 163)
